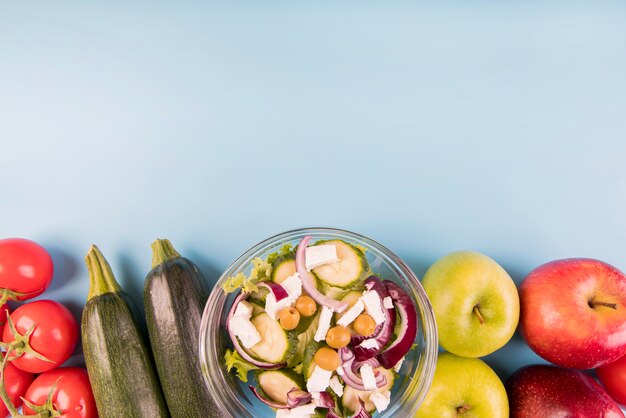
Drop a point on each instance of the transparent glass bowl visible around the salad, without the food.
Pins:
(235, 399)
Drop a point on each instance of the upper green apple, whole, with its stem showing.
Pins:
(475, 301)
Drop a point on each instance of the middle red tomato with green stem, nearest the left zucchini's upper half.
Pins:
(54, 337)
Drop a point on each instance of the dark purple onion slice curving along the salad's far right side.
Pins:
(408, 329)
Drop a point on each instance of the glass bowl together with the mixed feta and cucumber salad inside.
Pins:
(318, 323)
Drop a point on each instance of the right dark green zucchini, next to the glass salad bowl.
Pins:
(174, 297)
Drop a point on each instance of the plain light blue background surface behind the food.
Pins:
(493, 126)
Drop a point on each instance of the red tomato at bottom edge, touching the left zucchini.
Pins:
(72, 396)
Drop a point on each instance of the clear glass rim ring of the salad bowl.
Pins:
(427, 359)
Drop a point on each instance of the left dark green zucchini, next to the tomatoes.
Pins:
(121, 371)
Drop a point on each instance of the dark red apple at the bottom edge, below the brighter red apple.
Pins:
(549, 391)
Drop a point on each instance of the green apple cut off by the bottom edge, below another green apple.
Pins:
(464, 387)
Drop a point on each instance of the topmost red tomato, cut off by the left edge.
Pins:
(25, 267)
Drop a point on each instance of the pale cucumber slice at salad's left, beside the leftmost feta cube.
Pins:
(276, 345)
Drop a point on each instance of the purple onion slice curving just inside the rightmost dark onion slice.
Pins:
(383, 332)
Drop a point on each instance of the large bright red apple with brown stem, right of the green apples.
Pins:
(573, 312)
